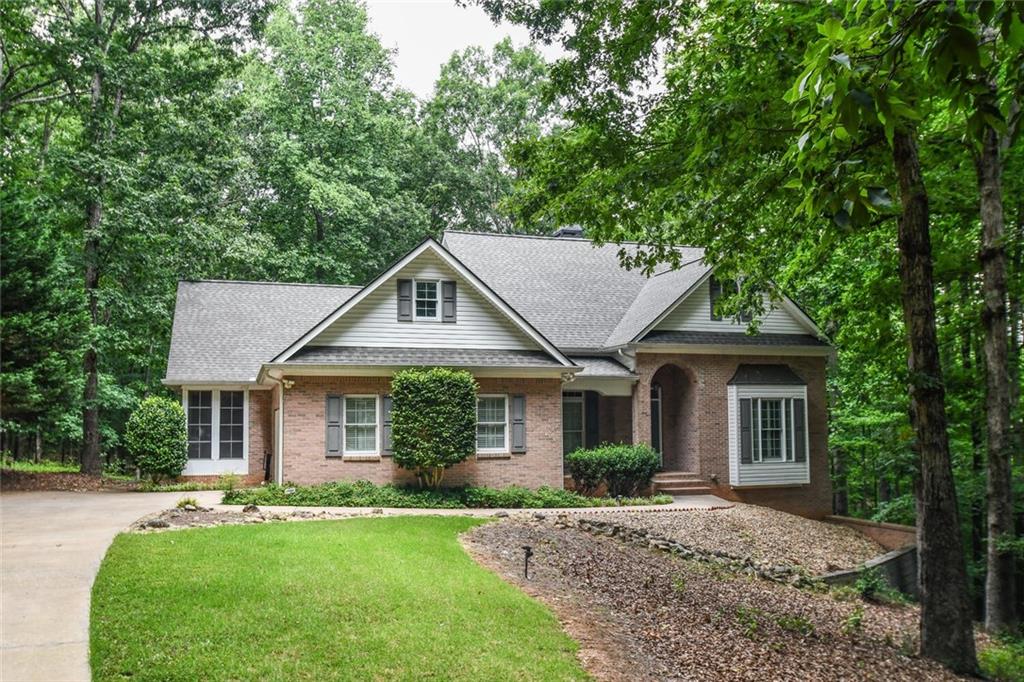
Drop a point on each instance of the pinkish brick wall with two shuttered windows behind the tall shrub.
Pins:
(306, 462)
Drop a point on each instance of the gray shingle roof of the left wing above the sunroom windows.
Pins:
(225, 331)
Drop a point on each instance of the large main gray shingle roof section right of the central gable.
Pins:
(575, 293)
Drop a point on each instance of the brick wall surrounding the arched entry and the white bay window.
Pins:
(711, 375)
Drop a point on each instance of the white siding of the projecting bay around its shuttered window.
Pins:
(765, 474)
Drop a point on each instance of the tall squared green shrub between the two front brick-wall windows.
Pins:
(434, 421)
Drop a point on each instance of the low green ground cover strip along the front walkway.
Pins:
(365, 494)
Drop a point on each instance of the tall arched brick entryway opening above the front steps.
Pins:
(673, 418)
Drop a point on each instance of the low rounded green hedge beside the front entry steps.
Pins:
(625, 470)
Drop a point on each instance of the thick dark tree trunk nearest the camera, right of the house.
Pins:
(946, 608)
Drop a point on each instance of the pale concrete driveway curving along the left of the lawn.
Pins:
(51, 548)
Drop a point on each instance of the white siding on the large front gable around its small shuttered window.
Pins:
(374, 322)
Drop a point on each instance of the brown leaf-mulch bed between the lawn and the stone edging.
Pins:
(641, 615)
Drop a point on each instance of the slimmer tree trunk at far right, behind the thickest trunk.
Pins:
(1001, 610)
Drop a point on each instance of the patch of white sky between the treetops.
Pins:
(426, 32)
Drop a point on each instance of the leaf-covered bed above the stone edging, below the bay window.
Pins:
(760, 534)
